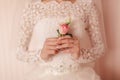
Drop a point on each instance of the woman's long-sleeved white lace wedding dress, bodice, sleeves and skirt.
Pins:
(40, 21)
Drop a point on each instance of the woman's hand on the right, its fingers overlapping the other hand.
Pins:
(69, 44)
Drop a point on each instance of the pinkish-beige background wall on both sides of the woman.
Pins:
(11, 69)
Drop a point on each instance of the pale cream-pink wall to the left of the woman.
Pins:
(10, 68)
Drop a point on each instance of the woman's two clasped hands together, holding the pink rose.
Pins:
(65, 44)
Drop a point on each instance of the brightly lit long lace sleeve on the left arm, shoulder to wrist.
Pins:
(26, 29)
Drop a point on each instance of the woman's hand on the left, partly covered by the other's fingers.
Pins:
(49, 48)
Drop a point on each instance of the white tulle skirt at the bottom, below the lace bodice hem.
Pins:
(39, 73)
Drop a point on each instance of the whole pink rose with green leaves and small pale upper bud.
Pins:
(64, 27)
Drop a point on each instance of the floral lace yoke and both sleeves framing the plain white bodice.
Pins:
(85, 9)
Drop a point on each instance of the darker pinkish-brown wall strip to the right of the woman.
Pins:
(111, 62)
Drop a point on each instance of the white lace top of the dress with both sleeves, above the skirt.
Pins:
(38, 15)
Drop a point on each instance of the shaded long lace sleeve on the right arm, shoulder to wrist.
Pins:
(97, 49)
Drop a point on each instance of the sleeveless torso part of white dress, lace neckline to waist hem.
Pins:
(49, 15)
